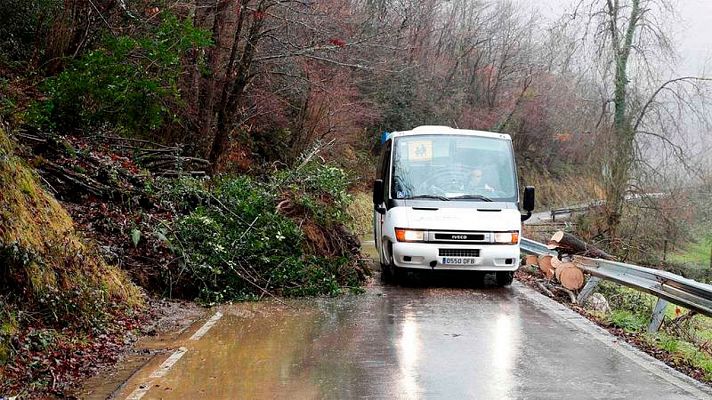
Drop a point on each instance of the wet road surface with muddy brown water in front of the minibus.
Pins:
(407, 343)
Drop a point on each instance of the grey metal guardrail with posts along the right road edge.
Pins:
(666, 286)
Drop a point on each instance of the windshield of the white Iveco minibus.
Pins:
(453, 167)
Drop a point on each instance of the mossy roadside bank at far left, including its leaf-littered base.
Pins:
(57, 294)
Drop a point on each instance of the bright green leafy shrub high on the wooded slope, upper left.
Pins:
(128, 81)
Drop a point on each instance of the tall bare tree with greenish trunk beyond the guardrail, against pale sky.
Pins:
(634, 49)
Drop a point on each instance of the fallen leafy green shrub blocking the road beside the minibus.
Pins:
(246, 238)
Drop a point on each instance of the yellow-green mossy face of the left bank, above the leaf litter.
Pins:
(45, 264)
